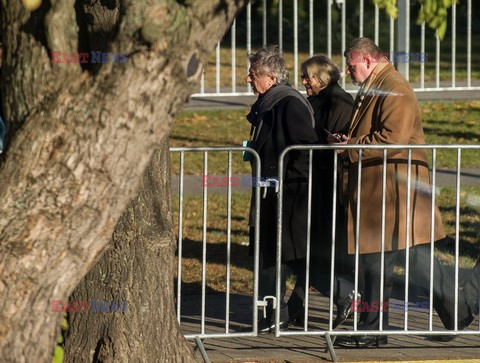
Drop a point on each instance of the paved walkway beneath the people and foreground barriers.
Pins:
(297, 348)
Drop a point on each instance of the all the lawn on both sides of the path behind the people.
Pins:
(444, 123)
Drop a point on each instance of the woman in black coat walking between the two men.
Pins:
(332, 110)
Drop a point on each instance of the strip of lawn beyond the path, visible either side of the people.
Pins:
(444, 123)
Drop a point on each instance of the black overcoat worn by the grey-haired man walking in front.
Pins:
(288, 123)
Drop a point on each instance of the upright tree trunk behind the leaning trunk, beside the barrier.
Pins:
(137, 268)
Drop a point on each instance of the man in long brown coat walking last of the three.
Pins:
(386, 112)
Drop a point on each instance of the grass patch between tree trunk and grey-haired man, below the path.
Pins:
(241, 275)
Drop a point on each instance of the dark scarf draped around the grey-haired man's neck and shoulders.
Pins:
(270, 98)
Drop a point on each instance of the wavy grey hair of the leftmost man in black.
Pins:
(270, 62)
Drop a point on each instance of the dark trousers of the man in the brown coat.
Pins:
(419, 270)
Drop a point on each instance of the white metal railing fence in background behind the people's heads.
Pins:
(313, 25)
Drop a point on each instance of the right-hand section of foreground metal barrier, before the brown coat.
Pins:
(406, 330)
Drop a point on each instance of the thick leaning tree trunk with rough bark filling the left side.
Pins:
(80, 138)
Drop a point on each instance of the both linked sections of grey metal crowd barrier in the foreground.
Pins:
(326, 331)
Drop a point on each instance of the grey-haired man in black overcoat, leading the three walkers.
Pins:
(280, 117)
